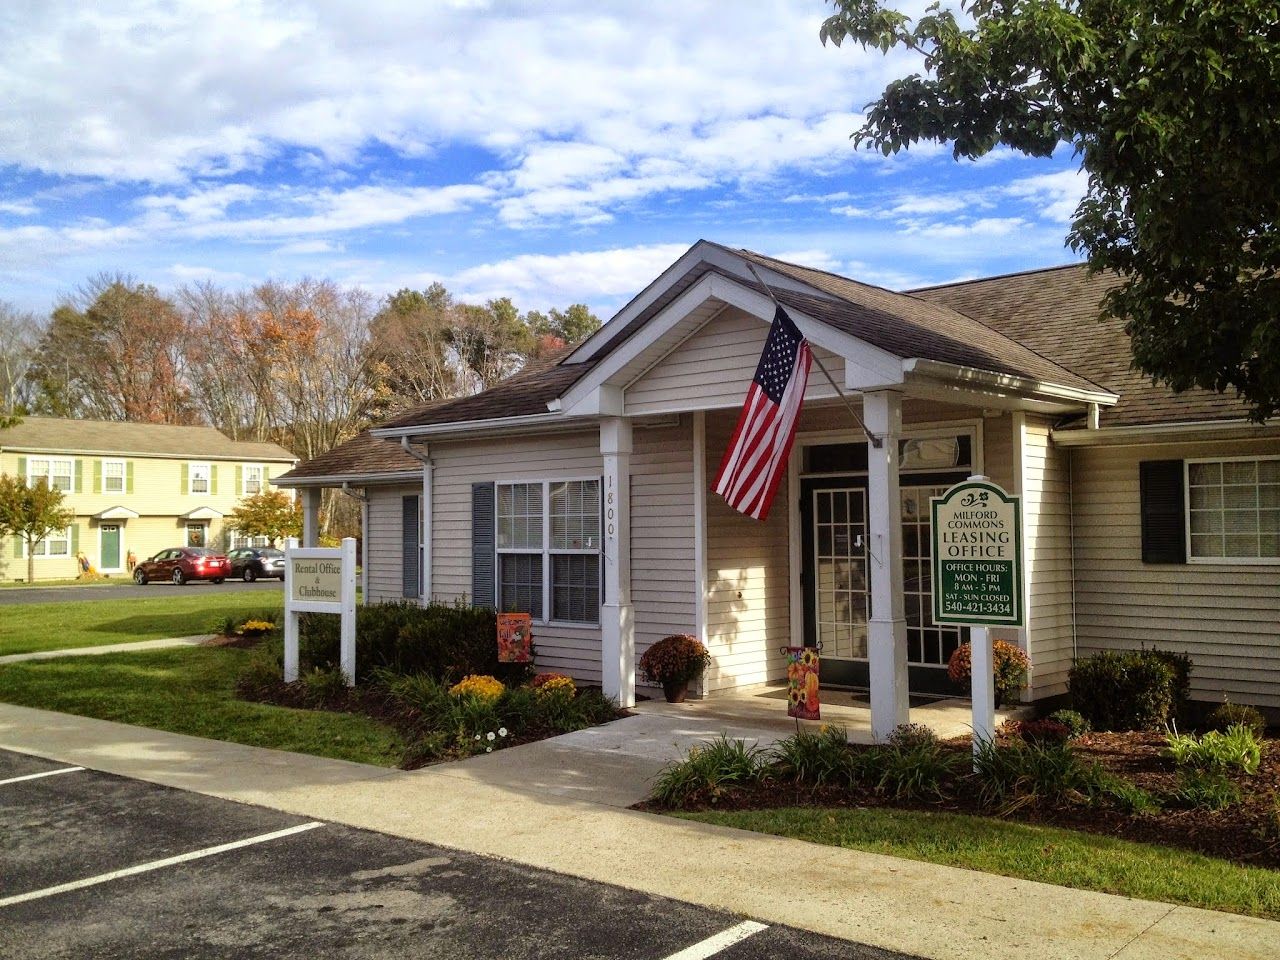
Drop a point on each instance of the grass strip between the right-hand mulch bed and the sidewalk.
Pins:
(1048, 854)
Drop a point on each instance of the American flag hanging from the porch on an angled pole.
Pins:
(757, 454)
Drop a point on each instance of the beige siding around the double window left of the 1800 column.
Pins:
(459, 465)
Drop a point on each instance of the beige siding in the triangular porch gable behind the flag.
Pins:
(715, 367)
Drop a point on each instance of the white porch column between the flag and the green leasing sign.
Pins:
(883, 410)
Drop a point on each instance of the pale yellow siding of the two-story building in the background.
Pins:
(158, 497)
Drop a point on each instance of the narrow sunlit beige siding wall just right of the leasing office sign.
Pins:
(1045, 484)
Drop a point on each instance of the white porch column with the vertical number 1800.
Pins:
(618, 628)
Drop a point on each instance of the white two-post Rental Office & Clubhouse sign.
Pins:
(321, 580)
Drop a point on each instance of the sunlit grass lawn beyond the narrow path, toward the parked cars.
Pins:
(26, 628)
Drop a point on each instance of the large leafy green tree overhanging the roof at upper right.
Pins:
(1172, 108)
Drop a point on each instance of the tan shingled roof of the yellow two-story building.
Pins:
(108, 437)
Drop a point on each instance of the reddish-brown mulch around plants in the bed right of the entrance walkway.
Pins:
(1247, 834)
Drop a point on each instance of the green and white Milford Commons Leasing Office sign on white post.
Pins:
(979, 579)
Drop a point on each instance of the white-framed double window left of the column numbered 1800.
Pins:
(548, 545)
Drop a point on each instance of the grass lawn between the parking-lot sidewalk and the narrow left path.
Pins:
(191, 691)
